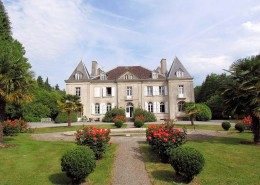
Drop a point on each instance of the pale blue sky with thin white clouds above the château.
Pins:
(206, 35)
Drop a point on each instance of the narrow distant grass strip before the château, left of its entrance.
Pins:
(72, 128)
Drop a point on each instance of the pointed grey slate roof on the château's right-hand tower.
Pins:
(175, 67)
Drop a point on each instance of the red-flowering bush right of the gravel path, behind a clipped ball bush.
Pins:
(163, 138)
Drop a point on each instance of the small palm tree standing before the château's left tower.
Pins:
(70, 104)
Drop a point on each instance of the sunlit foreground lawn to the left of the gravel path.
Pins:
(38, 162)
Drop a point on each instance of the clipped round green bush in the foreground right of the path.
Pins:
(187, 162)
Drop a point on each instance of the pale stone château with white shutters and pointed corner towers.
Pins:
(160, 91)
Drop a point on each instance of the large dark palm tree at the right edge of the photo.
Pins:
(242, 96)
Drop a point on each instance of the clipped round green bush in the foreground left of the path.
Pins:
(78, 163)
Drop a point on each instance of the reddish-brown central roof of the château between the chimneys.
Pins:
(139, 71)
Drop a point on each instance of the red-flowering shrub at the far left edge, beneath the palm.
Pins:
(13, 127)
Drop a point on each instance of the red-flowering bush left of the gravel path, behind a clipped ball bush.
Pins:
(96, 139)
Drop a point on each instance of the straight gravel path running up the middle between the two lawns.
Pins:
(129, 168)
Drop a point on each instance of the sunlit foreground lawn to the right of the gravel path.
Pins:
(227, 162)
